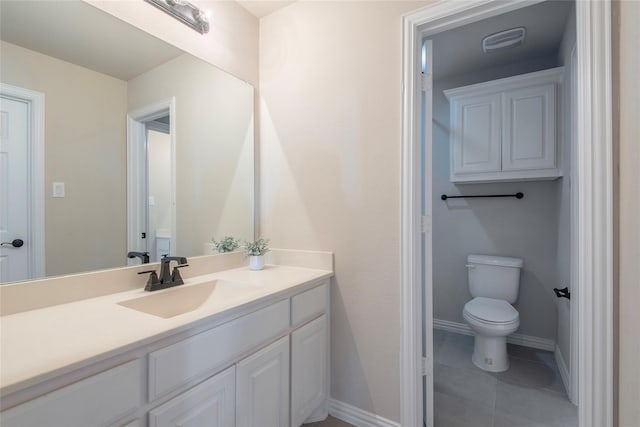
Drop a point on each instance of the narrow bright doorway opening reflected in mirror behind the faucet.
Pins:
(158, 188)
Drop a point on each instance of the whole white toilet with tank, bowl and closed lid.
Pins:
(494, 283)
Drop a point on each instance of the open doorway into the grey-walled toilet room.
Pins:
(473, 89)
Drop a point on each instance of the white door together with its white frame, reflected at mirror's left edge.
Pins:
(21, 210)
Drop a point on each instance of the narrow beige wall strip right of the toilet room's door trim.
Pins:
(628, 61)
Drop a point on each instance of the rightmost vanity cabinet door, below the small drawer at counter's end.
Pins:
(308, 369)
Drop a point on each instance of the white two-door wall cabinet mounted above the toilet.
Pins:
(506, 129)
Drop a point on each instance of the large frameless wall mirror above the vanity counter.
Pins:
(107, 86)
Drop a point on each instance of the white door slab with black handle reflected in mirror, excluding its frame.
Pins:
(14, 189)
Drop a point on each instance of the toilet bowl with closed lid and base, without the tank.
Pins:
(491, 320)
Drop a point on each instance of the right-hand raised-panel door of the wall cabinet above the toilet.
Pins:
(529, 128)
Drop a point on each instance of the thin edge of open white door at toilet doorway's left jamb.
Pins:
(427, 294)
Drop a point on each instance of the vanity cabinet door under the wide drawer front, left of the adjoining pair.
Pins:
(210, 404)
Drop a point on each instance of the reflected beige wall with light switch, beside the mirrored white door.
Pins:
(89, 157)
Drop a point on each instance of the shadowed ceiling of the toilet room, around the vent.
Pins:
(459, 51)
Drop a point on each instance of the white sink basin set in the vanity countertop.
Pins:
(185, 298)
